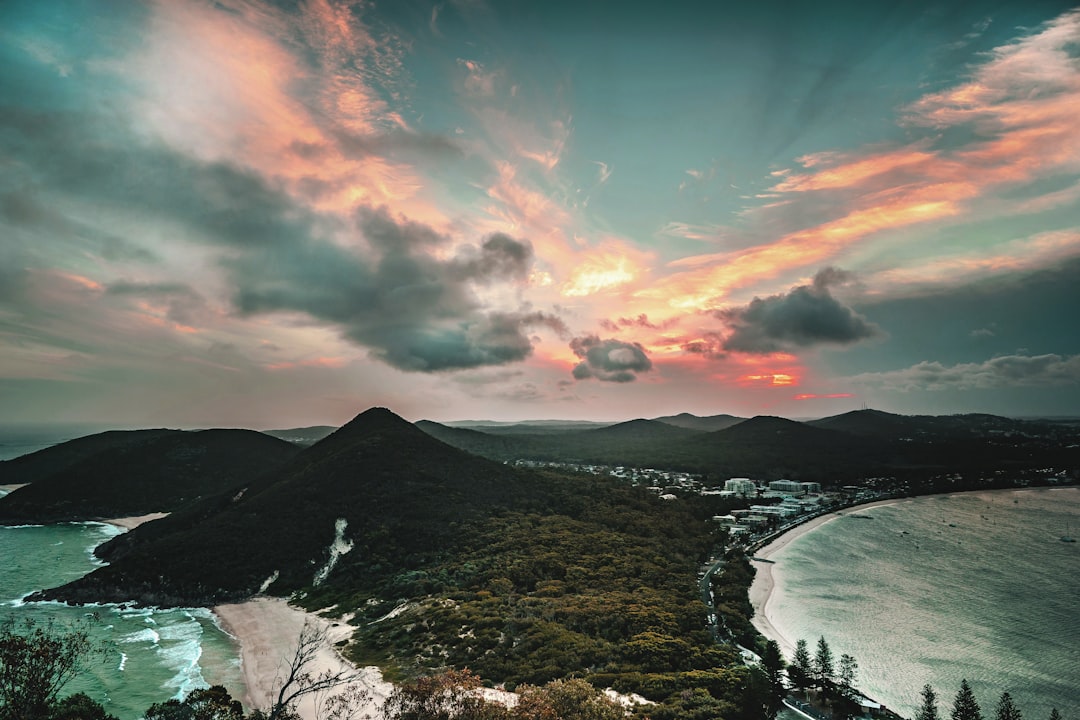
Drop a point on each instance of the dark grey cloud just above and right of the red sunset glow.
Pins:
(808, 316)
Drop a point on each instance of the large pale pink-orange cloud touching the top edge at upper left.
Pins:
(221, 85)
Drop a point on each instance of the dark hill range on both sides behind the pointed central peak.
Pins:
(163, 470)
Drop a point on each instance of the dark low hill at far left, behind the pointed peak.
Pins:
(160, 473)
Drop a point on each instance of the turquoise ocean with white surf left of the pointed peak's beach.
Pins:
(148, 656)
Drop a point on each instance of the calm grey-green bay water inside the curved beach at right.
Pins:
(937, 590)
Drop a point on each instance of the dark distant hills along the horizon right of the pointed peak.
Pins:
(840, 449)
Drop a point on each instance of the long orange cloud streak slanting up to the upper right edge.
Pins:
(1023, 105)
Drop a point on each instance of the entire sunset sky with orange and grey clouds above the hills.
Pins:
(278, 214)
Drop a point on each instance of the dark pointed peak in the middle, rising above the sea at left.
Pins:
(398, 493)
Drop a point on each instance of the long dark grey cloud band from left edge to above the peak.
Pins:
(373, 277)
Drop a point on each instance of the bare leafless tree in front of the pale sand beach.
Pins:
(300, 681)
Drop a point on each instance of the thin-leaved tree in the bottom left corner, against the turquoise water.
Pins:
(36, 662)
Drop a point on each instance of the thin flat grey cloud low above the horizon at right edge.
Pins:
(1005, 372)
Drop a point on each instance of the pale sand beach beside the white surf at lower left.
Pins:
(267, 630)
